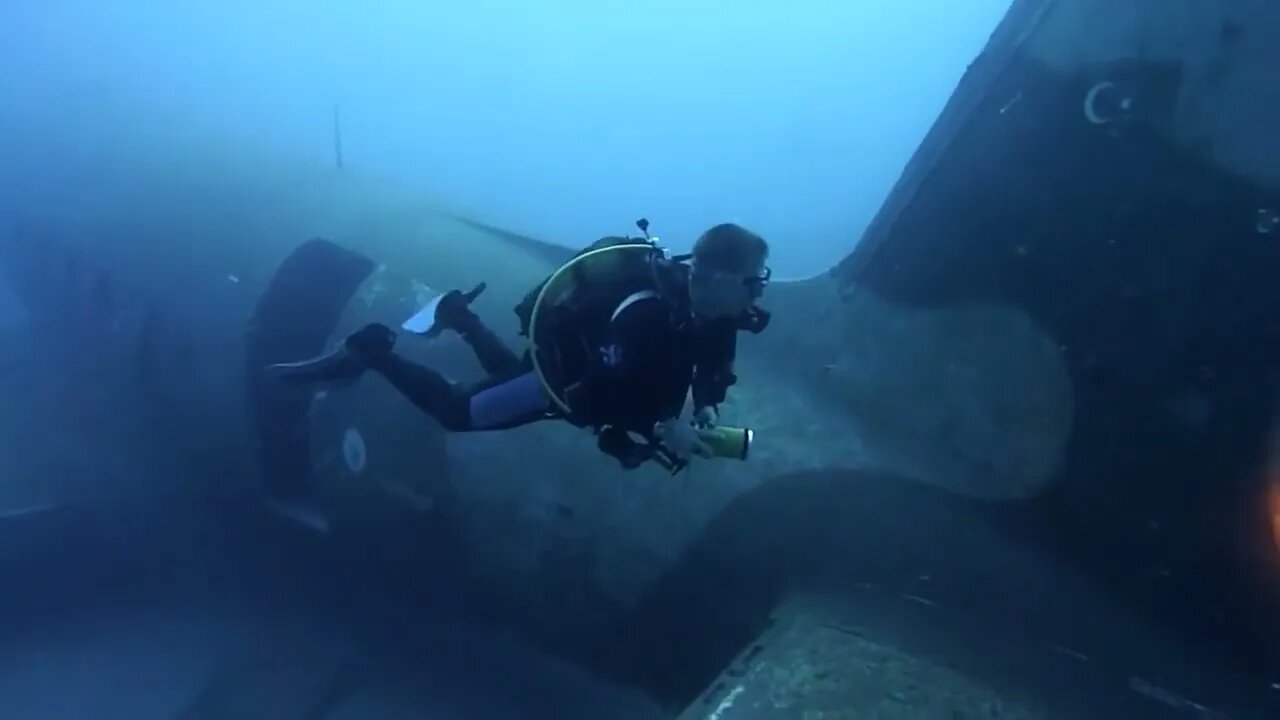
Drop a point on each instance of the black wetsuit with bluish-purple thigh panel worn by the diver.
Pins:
(628, 357)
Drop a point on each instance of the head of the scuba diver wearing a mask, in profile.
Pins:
(729, 272)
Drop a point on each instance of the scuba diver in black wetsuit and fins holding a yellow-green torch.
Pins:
(619, 339)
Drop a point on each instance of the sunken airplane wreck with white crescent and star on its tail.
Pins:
(1018, 455)
